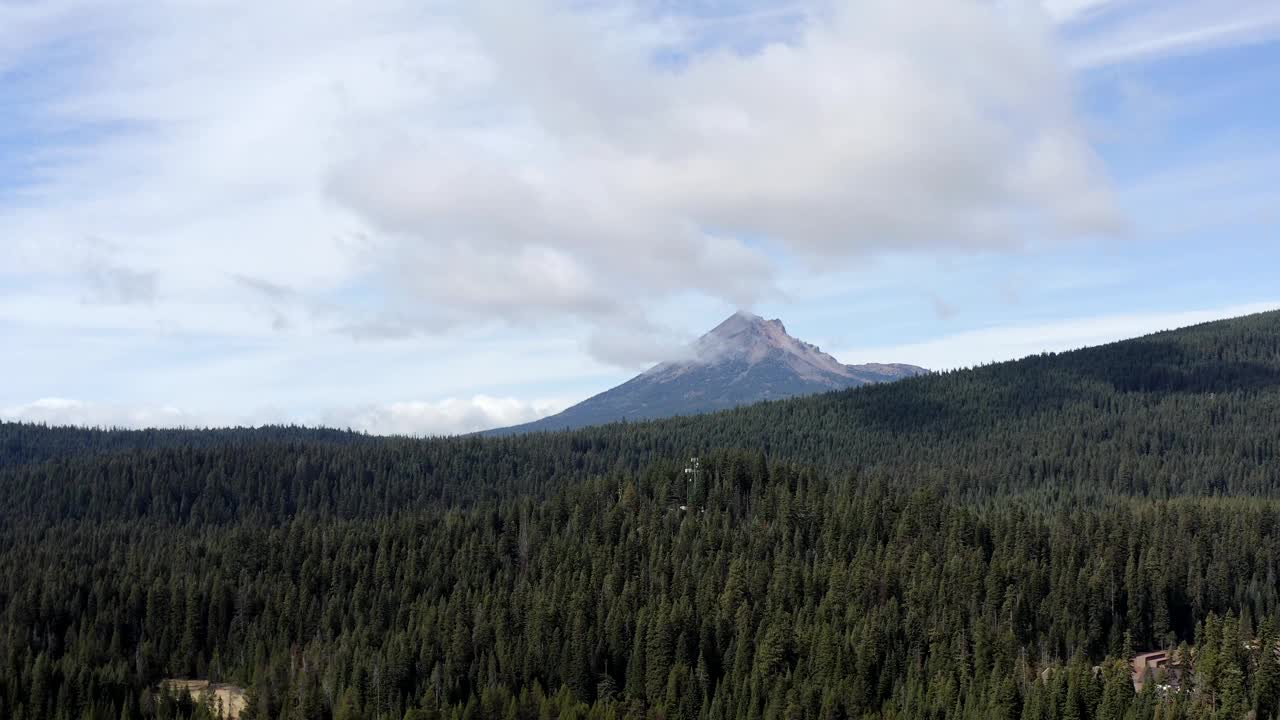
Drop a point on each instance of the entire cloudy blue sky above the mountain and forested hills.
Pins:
(429, 218)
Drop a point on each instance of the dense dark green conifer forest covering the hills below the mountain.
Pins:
(977, 544)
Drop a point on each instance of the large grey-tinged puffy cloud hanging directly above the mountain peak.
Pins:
(606, 180)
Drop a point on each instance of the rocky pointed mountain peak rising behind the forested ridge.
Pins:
(743, 361)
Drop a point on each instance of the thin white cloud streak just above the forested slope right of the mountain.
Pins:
(1011, 343)
